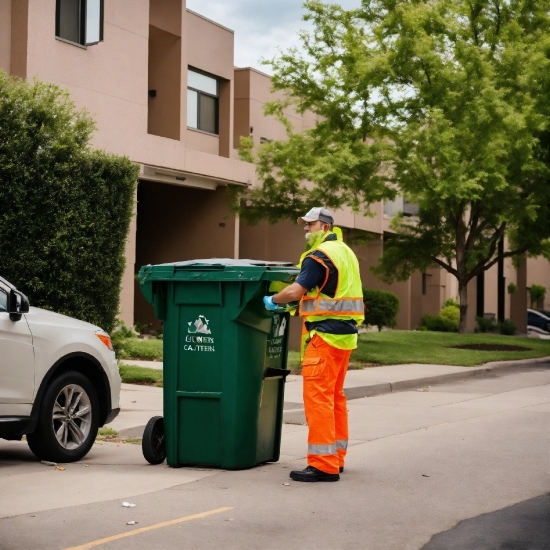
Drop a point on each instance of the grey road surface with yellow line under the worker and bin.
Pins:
(464, 466)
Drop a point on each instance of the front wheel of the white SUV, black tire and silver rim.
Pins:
(68, 419)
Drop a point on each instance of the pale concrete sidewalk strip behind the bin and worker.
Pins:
(140, 403)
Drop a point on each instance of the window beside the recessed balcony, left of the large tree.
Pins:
(202, 102)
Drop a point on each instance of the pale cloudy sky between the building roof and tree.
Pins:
(261, 26)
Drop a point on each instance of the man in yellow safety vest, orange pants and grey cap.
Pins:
(331, 305)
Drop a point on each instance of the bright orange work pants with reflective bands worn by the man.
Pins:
(324, 369)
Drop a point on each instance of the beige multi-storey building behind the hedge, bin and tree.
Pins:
(161, 84)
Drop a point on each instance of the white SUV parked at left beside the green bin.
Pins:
(59, 379)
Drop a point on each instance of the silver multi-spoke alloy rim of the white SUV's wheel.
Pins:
(72, 417)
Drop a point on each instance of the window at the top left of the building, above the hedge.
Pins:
(79, 21)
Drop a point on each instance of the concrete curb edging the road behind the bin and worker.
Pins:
(296, 416)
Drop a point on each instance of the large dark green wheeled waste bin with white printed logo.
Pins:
(225, 360)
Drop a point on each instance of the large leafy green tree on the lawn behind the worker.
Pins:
(445, 102)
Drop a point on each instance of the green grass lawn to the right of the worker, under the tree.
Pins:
(400, 347)
